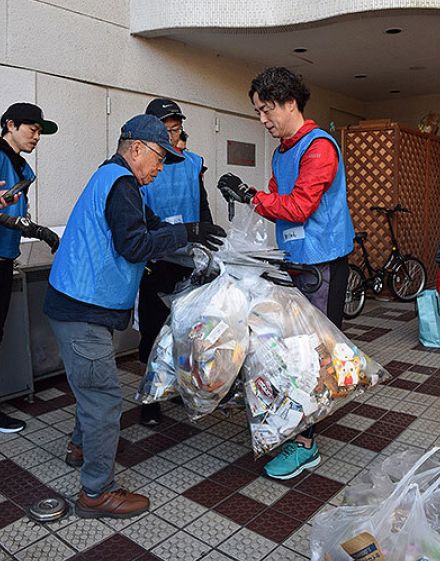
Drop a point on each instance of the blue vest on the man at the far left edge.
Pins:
(10, 239)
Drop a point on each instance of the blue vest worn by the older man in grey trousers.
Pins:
(87, 267)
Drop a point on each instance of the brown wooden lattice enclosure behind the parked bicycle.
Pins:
(386, 165)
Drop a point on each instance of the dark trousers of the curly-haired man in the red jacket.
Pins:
(330, 298)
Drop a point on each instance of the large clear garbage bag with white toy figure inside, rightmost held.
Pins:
(299, 366)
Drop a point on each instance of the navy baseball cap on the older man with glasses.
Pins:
(150, 129)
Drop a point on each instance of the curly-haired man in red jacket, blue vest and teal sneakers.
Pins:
(307, 201)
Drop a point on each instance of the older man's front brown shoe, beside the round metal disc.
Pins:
(116, 504)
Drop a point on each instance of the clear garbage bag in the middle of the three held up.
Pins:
(209, 326)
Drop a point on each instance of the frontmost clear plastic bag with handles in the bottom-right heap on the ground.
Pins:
(399, 523)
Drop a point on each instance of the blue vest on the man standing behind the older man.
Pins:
(174, 195)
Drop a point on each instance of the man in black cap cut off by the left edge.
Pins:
(22, 124)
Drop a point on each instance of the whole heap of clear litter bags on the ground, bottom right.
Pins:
(392, 520)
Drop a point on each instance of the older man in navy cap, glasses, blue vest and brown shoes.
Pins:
(95, 276)
